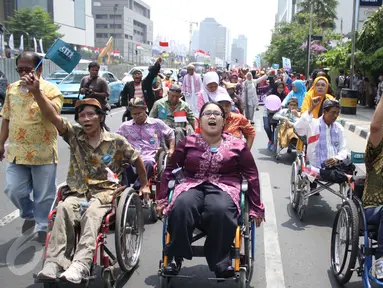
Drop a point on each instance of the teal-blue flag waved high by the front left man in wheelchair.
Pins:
(63, 55)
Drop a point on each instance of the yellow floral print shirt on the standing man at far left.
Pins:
(32, 138)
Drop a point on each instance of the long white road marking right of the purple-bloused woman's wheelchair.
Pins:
(273, 260)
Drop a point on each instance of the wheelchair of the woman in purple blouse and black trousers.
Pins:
(243, 249)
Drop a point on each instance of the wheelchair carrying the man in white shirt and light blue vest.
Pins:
(300, 180)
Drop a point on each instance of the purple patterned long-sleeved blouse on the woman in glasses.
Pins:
(225, 169)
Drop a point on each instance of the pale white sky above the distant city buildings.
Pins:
(252, 18)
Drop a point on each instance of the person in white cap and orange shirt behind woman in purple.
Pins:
(235, 123)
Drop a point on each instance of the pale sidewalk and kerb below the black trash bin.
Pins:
(359, 123)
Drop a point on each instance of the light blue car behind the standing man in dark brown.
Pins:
(70, 88)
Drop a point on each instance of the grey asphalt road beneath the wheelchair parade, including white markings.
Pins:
(289, 253)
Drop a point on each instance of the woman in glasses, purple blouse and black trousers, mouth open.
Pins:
(209, 167)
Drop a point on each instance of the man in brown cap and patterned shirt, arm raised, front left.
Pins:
(97, 158)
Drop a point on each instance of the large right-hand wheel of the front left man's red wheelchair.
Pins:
(129, 230)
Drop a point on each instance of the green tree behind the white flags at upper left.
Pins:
(36, 23)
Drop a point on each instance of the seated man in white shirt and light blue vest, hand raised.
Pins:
(326, 144)
